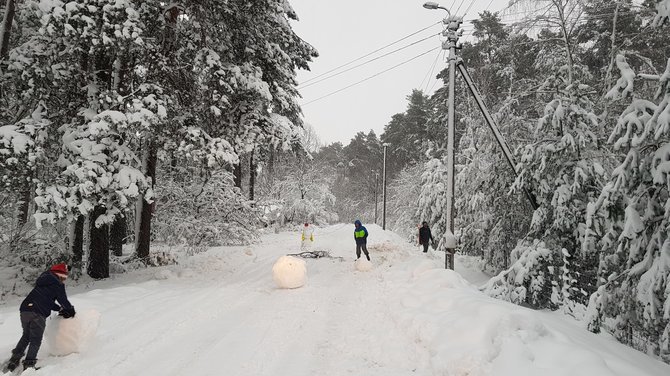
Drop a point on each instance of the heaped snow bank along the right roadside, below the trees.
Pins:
(471, 334)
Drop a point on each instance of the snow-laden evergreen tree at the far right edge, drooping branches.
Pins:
(629, 222)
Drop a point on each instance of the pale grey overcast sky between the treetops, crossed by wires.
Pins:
(345, 30)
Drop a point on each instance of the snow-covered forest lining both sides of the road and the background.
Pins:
(143, 125)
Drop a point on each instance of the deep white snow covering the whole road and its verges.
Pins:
(221, 313)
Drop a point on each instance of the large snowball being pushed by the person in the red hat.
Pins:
(67, 336)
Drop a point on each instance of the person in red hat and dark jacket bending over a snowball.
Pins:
(35, 309)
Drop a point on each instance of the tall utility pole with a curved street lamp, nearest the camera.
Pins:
(452, 25)
